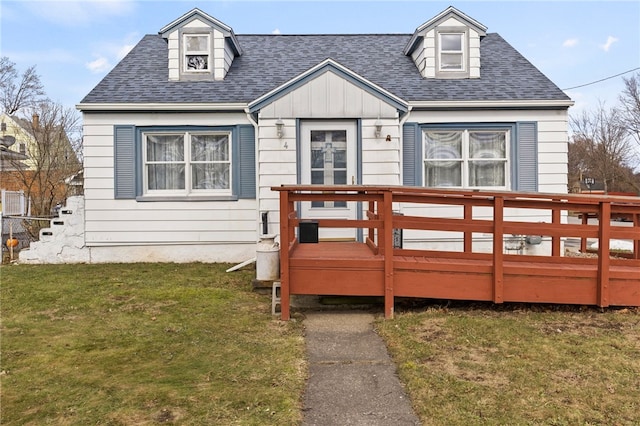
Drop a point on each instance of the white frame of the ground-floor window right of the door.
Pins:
(465, 159)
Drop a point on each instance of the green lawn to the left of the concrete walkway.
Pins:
(143, 344)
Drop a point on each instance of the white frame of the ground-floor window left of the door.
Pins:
(187, 191)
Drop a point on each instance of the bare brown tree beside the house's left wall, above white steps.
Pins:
(54, 155)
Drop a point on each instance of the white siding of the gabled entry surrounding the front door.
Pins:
(325, 97)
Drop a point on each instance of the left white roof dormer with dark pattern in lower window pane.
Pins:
(200, 47)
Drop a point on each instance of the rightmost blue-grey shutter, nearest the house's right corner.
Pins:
(526, 170)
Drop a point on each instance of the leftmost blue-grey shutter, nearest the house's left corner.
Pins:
(124, 162)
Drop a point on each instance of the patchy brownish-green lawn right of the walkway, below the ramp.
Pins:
(478, 364)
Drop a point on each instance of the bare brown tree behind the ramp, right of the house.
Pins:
(602, 148)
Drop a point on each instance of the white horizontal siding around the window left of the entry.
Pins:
(114, 222)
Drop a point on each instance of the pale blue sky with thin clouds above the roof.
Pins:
(75, 43)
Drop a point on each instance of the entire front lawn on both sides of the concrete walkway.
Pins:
(188, 344)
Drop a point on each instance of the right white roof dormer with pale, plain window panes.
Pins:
(447, 46)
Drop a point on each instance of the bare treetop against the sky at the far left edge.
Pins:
(17, 93)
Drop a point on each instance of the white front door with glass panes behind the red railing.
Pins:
(328, 157)
